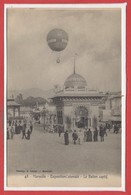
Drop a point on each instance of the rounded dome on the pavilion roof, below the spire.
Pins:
(75, 80)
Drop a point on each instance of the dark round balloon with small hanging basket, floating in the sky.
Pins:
(57, 40)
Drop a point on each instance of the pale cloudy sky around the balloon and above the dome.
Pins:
(95, 35)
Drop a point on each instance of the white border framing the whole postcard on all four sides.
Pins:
(123, 84)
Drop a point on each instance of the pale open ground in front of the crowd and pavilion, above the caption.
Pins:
(46, 151)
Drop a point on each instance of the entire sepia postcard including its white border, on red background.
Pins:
(65, 97)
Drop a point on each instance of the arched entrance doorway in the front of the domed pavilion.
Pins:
(81, 117)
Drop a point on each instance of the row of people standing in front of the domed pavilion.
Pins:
(86, 136)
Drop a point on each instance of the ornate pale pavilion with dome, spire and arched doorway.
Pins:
(77, 106)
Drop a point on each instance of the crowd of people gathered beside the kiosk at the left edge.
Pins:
(23, 127)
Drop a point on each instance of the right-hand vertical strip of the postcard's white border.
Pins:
(123, 84)
